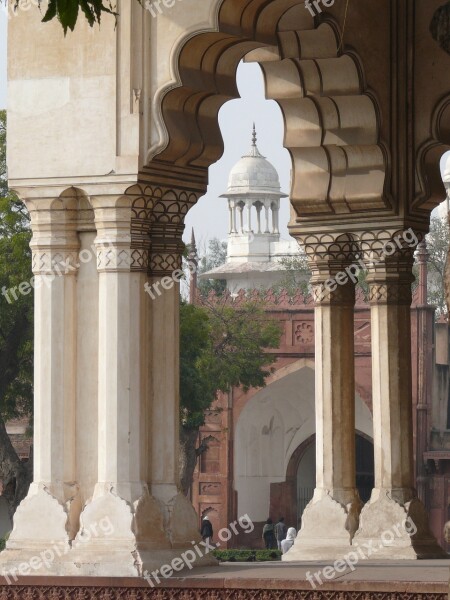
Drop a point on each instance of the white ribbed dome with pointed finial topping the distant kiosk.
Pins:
(253, 174)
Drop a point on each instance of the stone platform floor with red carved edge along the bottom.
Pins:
(375, 580)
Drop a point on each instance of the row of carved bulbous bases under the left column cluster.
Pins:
(116, 538)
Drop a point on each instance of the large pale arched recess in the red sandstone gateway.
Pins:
(273, 431)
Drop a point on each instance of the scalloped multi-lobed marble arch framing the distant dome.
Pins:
(331, 122)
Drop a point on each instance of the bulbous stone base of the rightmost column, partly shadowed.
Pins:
(391, 529)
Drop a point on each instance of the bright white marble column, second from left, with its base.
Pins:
(121, 495)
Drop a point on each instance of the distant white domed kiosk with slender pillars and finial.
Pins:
(254, 185)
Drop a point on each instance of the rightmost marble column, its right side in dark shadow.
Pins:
(393, 499)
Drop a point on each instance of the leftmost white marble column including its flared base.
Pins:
(49, 512)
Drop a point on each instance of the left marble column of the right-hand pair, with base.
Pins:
(331, 518)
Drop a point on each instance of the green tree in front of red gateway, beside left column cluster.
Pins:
(220, 347)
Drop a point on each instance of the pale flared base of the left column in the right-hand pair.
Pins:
(327, 529)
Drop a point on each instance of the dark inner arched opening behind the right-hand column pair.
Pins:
(306, 472)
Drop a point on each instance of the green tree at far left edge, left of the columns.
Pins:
(16, 331)
